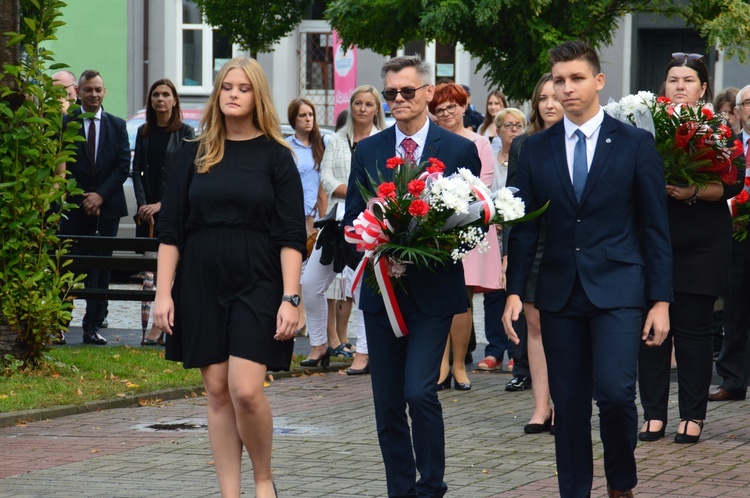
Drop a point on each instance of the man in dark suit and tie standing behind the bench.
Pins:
(101, 167)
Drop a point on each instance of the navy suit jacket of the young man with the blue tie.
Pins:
(616, 240)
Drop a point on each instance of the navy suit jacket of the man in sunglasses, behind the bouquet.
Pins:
(437, 291)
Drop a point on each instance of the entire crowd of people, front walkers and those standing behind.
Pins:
(251, 254)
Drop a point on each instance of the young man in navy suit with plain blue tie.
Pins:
(607, 259)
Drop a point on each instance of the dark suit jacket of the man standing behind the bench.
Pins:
(111, 168)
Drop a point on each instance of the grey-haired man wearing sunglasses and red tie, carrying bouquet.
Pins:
(405, 370)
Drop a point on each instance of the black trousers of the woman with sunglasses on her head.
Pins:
(690, 318)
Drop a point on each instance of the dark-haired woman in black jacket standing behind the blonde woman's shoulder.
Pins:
(158, 142)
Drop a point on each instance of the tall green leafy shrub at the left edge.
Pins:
(33, 143)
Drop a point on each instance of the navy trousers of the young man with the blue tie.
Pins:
(593, 353)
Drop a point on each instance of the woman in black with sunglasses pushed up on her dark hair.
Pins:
(701, 230)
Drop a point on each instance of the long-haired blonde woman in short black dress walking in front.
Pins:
(233, 217)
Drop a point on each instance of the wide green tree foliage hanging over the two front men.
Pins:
(511, 37)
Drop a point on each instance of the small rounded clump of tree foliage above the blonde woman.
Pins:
(255, 25)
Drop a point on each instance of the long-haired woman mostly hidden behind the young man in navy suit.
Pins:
(545, 112)
